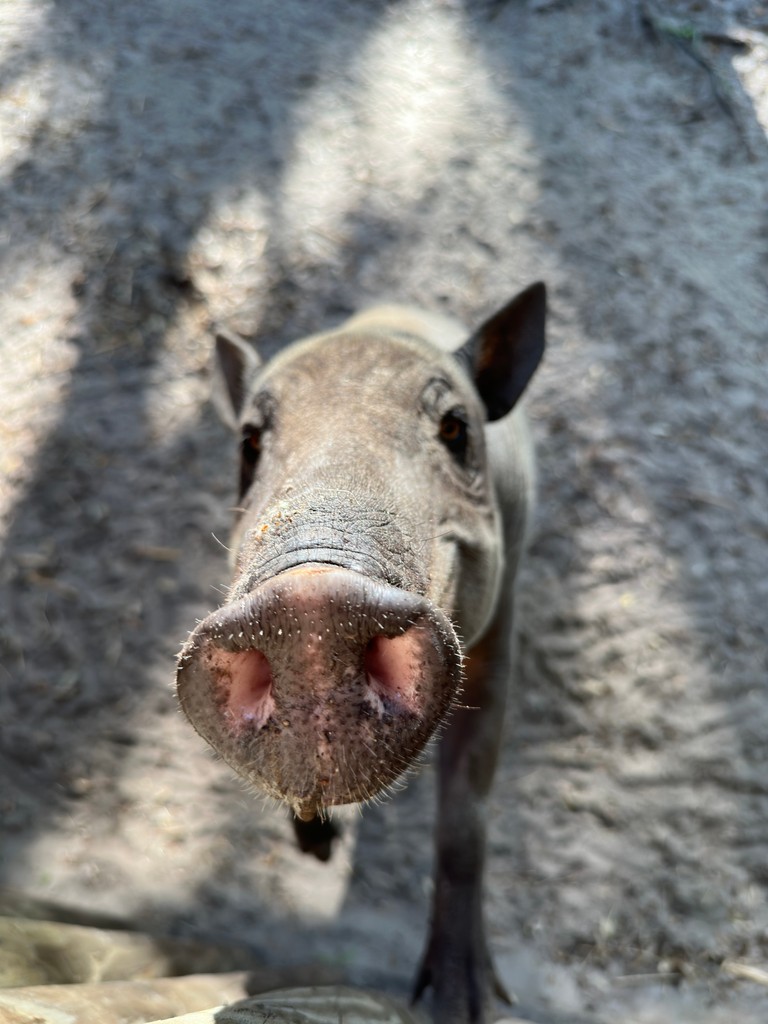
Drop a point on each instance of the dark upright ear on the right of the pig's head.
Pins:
(502, 356)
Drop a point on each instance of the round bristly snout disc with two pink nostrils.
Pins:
(321, 687)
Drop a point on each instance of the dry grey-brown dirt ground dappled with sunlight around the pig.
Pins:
(272, 166)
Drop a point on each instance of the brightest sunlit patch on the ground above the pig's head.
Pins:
(415, 100)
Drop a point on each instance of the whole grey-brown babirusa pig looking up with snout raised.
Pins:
(385, 487)
